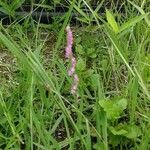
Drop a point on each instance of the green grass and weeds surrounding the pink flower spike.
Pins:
(112, 109)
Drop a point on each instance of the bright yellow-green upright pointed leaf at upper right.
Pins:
(111, 20)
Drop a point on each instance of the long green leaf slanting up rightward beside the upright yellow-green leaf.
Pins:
(132, 22)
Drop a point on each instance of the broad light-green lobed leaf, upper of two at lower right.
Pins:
(113, 108)
